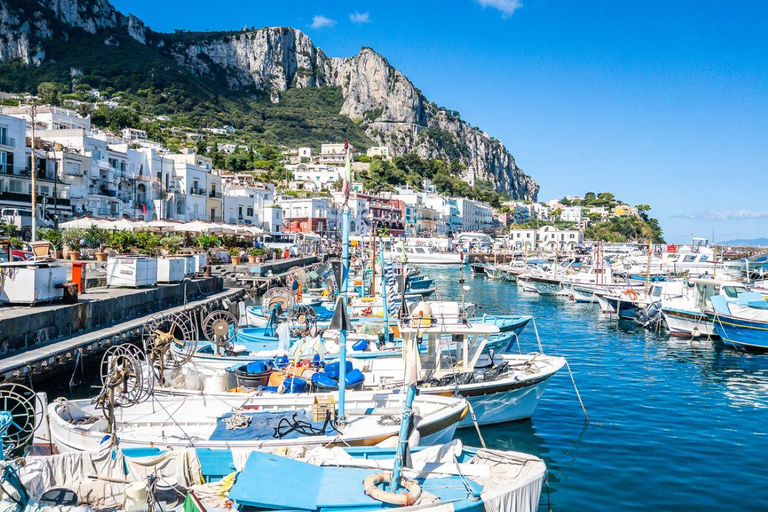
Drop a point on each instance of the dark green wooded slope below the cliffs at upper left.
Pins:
(149, 82)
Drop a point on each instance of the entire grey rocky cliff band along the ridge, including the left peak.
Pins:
(393, 111)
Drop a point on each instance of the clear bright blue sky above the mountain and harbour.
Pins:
(664, 103)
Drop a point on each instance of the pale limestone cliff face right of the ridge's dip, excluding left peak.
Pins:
(395, 112)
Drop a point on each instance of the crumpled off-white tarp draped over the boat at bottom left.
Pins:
(76, 470)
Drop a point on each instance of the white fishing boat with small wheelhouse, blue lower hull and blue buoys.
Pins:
(500, 387)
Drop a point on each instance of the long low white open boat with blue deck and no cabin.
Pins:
(250, 421)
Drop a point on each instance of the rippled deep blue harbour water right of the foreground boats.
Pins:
(674, 425)
